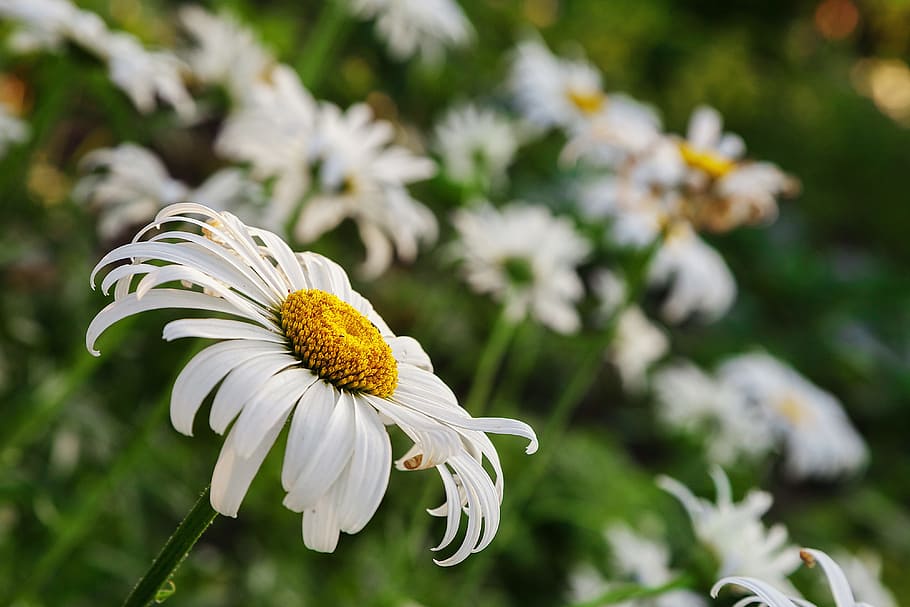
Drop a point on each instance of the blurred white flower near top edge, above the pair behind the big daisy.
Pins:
(225, 52)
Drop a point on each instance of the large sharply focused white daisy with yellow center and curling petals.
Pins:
(302, 344)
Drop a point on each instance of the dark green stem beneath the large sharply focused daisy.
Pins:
(175, 550)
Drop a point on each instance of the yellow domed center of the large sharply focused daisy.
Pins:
(339, 343)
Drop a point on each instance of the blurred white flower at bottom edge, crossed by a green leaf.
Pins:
(646, 561)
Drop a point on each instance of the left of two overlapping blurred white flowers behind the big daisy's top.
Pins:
(273, 131)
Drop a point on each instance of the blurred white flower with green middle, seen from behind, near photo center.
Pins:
(525, 258)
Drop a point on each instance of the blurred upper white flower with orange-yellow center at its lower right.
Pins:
(550, 91)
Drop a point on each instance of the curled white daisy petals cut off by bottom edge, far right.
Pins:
(770, 594)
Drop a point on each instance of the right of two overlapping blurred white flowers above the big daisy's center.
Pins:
(360, 175)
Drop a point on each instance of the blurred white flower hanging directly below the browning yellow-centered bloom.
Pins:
(700, 283)
